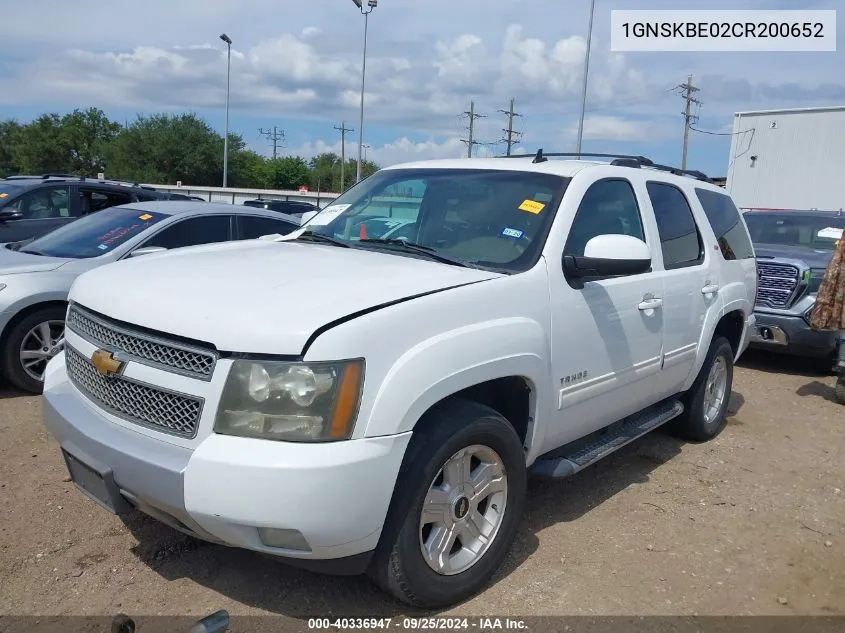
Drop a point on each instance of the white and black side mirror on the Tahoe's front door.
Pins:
(608, 256)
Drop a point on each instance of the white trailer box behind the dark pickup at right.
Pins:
(788, 159)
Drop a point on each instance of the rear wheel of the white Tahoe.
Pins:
(706, 403)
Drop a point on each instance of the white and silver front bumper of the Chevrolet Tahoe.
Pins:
(223, 490)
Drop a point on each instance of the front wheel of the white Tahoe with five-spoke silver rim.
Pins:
(456, 508)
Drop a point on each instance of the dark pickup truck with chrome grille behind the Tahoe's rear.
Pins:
(793, 250)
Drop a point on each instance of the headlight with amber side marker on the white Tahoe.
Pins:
(291, 402)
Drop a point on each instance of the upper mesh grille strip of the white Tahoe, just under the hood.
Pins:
(154, 351)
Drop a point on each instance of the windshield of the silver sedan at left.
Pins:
(95, 234)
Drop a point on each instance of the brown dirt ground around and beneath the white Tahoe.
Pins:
(752, 523)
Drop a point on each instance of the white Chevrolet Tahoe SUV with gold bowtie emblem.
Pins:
(354, 403)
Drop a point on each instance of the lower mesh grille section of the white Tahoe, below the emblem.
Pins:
(133, 401)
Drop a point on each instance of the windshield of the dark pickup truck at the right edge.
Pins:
(809, 230)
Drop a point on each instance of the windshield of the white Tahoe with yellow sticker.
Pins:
(496, 219)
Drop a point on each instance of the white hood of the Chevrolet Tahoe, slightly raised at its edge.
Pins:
(257, 296)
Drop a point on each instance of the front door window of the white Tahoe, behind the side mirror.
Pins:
(608, 207)
